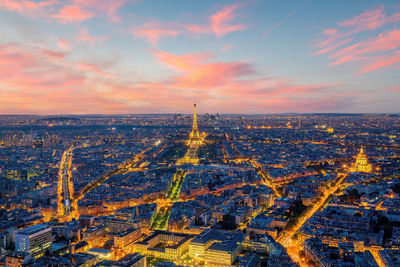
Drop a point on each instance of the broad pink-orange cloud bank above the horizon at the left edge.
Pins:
(39, 80)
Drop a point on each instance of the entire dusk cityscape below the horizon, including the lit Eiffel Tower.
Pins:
(200, 190)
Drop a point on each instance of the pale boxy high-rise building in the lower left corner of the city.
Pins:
(34, 240)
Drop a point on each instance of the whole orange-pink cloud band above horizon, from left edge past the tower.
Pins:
(43, 81)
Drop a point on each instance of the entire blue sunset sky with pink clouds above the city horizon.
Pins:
(144, 56)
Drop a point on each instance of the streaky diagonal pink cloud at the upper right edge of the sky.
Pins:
(368, 54)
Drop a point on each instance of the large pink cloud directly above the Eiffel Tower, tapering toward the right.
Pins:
(237, 84)
